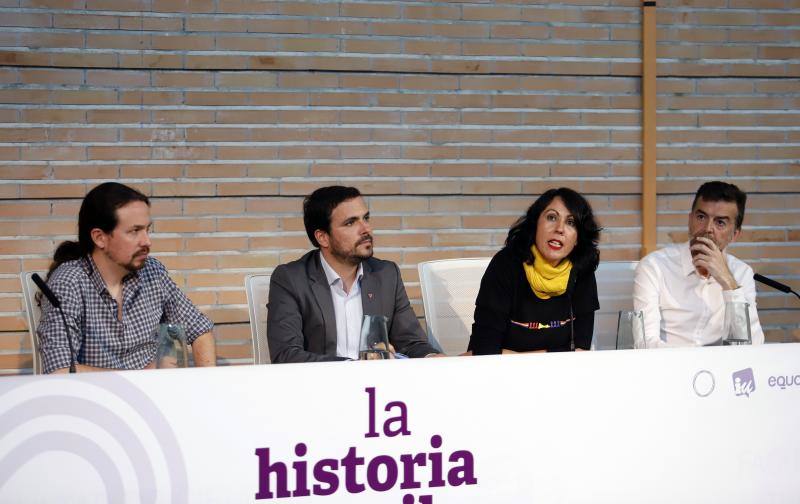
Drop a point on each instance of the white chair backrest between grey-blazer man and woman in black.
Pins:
(449, 288)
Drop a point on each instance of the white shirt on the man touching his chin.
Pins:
(680, 307)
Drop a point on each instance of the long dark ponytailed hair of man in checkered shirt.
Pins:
(98, 210)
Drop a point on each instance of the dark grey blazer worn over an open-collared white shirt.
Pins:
(301, 325)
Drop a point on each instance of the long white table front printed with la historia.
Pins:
(719, 424)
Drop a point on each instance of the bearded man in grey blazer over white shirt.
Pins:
(316, 303)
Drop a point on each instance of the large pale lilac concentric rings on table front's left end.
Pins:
(76, 400)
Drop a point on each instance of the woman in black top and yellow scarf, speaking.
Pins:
(539, 292)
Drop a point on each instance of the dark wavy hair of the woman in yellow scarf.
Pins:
(585, 256)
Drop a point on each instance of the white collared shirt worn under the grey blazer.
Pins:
(348, 311)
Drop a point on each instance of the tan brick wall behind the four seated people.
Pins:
(450, 116)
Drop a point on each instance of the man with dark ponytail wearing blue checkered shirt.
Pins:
(114, 295)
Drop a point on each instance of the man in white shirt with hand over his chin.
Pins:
(682, 289)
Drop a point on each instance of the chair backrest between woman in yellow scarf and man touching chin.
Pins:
(615, 292)
